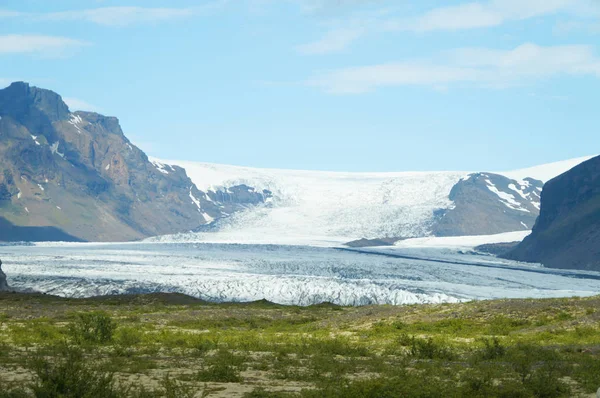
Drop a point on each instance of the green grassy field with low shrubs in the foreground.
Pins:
(175, 346)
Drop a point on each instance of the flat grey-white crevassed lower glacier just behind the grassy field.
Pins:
(287, 274)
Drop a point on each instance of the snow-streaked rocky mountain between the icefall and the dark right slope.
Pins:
(487, 203)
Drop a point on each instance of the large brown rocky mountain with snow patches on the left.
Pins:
(75, 176)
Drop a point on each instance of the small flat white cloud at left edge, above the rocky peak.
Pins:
(38, 44)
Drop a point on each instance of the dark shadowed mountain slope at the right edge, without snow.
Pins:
(567, 232)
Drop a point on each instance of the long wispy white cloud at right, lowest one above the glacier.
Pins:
(478, 66)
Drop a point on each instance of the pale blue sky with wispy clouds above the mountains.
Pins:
(346, 85)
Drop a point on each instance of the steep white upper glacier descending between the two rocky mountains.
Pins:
(324, 208)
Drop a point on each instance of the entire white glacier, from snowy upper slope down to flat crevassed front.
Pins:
(290, 249)
